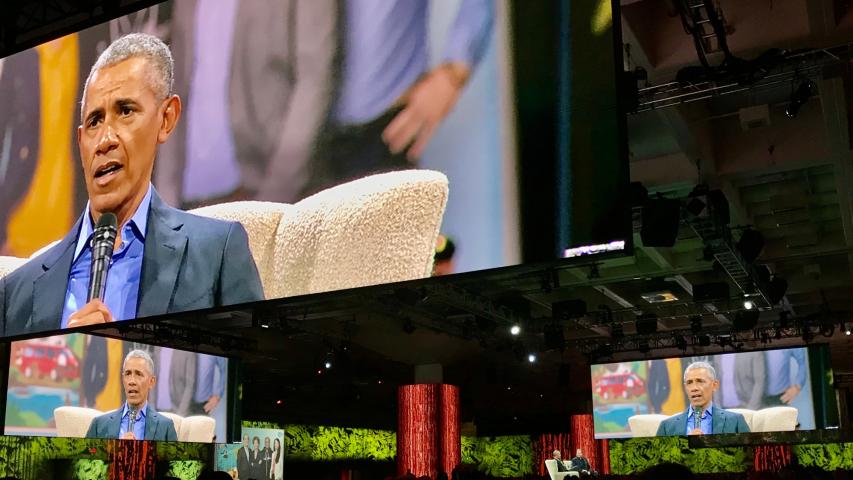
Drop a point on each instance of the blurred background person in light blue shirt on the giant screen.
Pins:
(390, 101)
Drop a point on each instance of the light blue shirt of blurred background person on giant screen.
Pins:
(385, 51)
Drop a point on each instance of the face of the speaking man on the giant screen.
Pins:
(122, 123)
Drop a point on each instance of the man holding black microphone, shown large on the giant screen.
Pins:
(163, 260)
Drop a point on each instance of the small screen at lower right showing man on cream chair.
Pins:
(741, 392)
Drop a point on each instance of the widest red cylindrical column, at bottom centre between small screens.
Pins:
(428, 439)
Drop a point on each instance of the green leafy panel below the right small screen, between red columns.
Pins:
(637, 454)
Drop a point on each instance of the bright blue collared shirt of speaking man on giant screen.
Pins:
(122, 292)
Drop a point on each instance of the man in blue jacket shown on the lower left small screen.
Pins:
(135, 420)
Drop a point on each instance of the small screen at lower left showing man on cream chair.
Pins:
(77, 385)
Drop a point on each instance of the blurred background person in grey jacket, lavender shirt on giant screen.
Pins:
(257, 79)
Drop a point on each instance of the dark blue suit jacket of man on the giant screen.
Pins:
(190, 263)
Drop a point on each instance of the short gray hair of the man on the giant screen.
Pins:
(161, 70)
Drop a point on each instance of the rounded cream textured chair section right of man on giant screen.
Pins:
(377, 229)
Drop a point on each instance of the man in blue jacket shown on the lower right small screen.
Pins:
(702, 417)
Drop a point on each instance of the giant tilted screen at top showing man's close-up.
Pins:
(467, 118)
